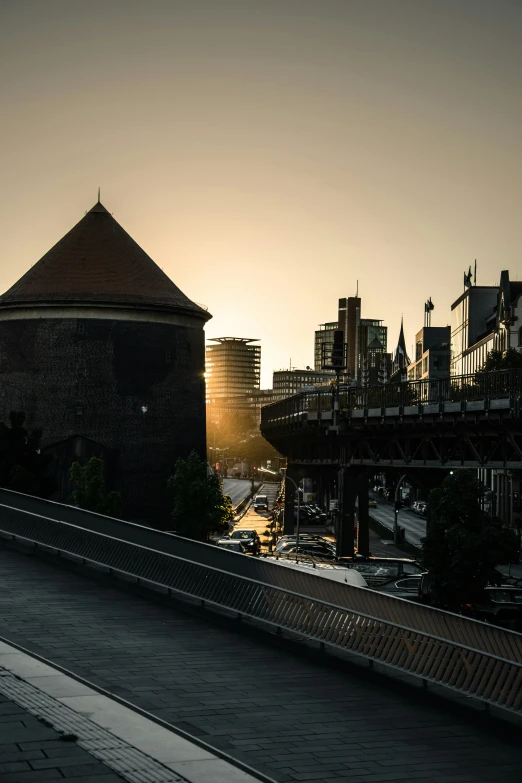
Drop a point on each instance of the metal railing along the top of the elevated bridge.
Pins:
(478, 386)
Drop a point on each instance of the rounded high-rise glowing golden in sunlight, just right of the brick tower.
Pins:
(233, 368)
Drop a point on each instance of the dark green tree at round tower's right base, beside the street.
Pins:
(200, 507)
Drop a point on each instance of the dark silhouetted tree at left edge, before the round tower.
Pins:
(22, 466)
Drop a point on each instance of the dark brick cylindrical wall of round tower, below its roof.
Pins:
(136, 387)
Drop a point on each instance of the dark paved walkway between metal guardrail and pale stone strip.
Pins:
(294, 719)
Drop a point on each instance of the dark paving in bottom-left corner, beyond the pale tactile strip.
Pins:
(31, 752)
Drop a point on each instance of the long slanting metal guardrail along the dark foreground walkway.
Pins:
(473, 658)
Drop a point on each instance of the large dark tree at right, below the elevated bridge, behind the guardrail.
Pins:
(464, 544)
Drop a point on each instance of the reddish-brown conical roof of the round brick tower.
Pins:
(98, 262)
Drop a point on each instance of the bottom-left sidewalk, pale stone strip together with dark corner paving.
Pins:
(54, 727)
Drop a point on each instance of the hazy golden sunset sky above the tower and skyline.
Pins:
(269, 154)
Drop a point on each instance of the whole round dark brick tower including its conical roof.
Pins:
(98, 346)
